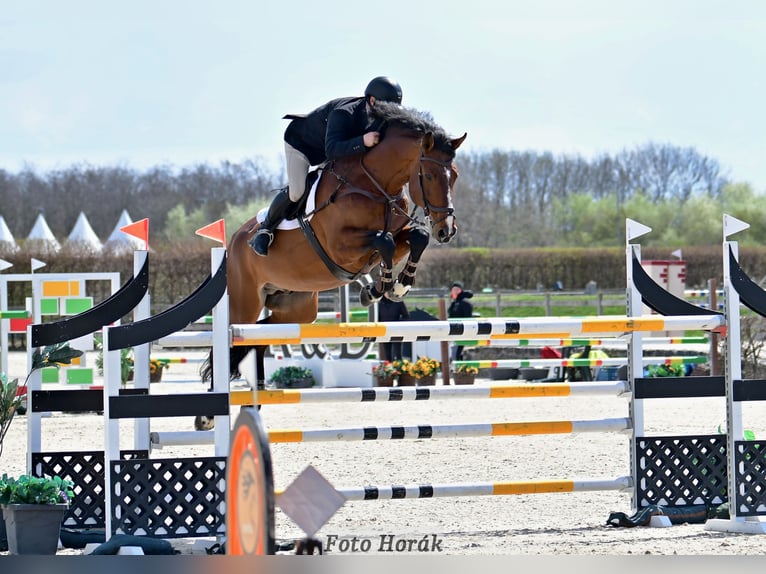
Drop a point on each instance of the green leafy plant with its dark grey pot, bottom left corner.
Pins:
(34, 508)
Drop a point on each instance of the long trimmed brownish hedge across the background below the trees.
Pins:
(176, 270)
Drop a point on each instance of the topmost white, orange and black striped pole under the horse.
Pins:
(287, 334)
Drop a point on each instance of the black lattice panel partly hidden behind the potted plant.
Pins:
(86, 470)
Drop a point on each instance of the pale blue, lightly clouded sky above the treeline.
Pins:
(171, 82)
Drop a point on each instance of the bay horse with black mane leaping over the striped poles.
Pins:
(362, 219)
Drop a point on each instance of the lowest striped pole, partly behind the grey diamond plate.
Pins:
(396, 492)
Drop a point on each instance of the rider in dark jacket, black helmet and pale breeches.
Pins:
(337, 129)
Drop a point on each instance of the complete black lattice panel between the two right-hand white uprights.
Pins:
(681, 471)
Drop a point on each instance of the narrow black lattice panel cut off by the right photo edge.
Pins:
(750, 462)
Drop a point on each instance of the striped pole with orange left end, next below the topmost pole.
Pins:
(395, 394)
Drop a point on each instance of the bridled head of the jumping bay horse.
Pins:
(431, 184)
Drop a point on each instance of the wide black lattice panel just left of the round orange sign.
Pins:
(169, 498)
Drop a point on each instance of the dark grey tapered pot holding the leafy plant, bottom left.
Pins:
(33, 528)
